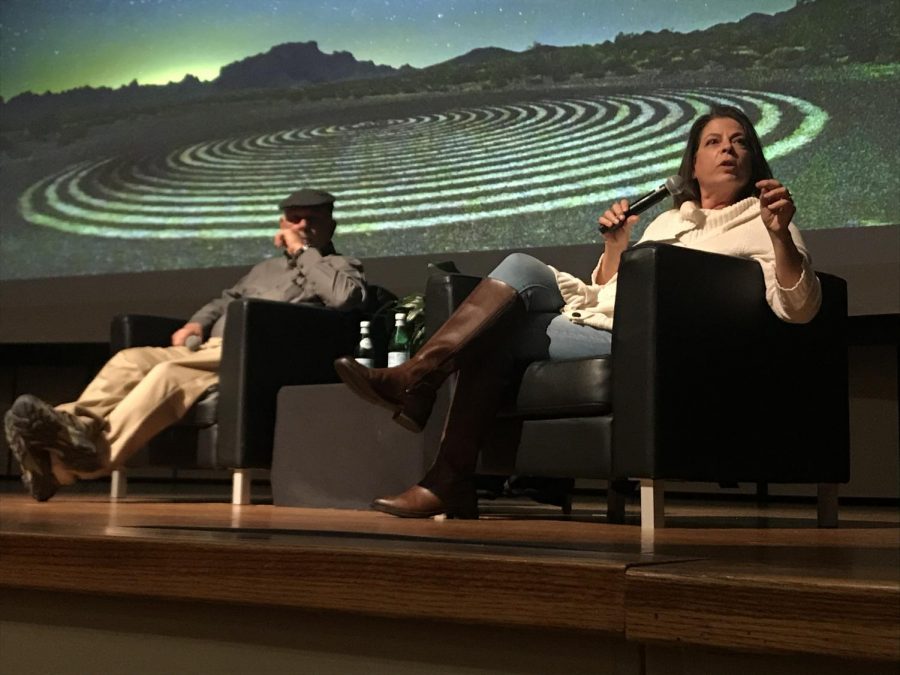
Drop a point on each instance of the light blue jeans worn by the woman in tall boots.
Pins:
(545, 333)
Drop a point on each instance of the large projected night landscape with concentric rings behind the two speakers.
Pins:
(443, 126)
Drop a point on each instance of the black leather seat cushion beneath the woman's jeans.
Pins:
(570, 388)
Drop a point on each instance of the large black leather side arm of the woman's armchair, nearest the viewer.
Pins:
(708, 384)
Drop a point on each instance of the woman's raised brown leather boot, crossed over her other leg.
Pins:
(409, 389)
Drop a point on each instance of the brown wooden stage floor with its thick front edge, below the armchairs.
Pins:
(732, 576)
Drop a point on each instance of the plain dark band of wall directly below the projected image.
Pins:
(78, 309)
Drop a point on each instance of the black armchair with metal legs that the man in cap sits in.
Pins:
(267, 345)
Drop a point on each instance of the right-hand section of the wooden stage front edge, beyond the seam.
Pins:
(840, 610)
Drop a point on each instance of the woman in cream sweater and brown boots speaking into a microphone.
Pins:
(731, 205)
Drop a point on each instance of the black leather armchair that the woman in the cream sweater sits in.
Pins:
(704, 383)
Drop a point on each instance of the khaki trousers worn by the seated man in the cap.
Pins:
(138, 393)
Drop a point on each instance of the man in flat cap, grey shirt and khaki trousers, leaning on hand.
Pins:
(141, 391)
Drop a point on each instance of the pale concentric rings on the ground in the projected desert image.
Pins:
(476, 164)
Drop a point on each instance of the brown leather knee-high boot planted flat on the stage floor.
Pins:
(448, 486)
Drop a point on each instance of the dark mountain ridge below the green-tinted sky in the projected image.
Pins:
(812, 33)
